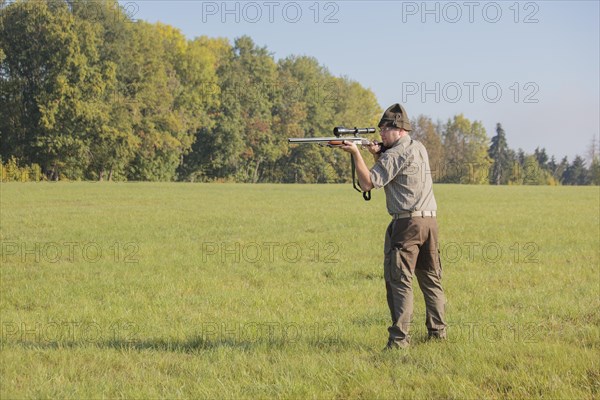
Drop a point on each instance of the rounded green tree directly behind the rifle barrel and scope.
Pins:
(325, 101)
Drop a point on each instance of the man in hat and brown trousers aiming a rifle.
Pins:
(411, 243)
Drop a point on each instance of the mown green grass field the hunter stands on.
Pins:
(152, 290)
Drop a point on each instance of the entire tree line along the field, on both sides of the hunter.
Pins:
(88, 94)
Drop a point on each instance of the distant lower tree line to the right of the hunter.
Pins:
(460, 152)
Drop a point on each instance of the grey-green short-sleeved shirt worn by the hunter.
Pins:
(404, 173)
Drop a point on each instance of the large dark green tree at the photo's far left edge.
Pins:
(50, 86)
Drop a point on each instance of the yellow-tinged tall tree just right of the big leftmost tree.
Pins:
(162, 117)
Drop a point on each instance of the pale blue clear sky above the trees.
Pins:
(533, 66)
